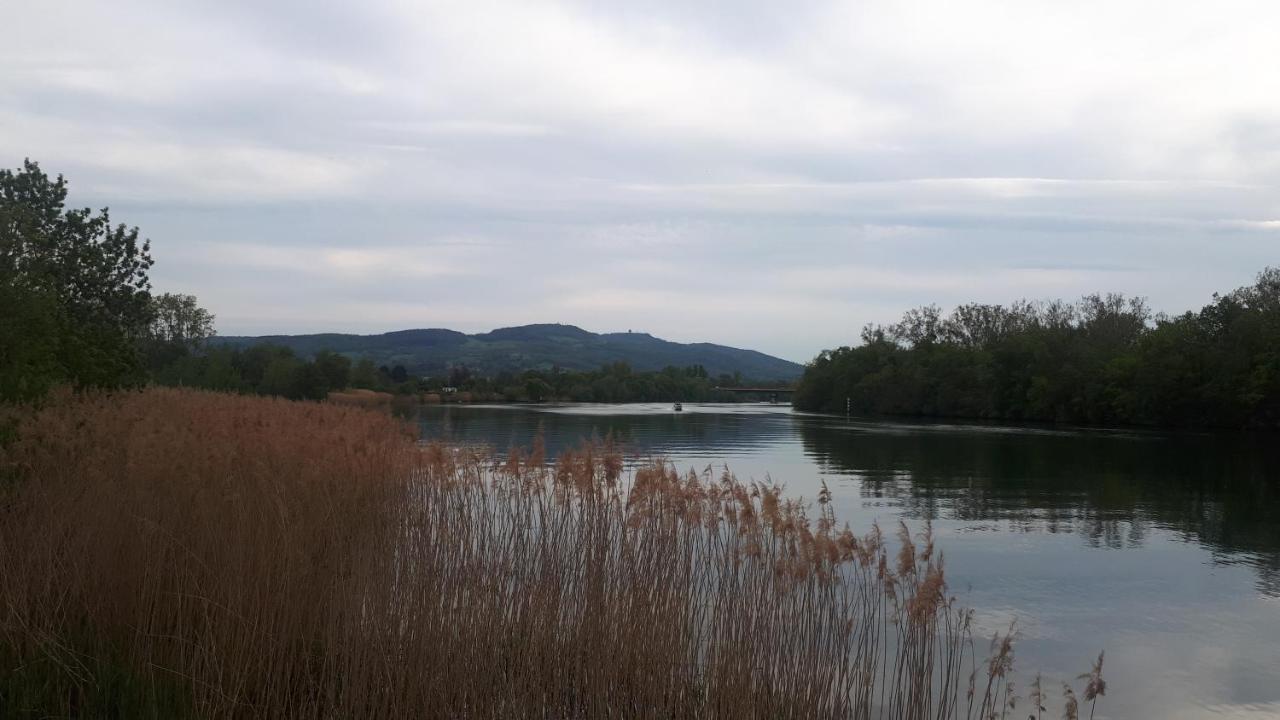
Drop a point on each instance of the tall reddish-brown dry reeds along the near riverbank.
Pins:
(181, 554)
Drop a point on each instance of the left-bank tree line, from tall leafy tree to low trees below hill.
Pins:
(80, 311)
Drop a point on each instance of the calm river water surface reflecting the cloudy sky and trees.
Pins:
(1163, 549)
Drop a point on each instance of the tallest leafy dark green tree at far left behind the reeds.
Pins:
(75, 290)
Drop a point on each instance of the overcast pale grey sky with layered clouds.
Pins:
(756, 174)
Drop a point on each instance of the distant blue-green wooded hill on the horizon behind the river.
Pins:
(432, 352)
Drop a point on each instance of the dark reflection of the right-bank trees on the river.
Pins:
(1112, 489)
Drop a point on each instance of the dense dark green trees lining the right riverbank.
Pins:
(1107, 359)
